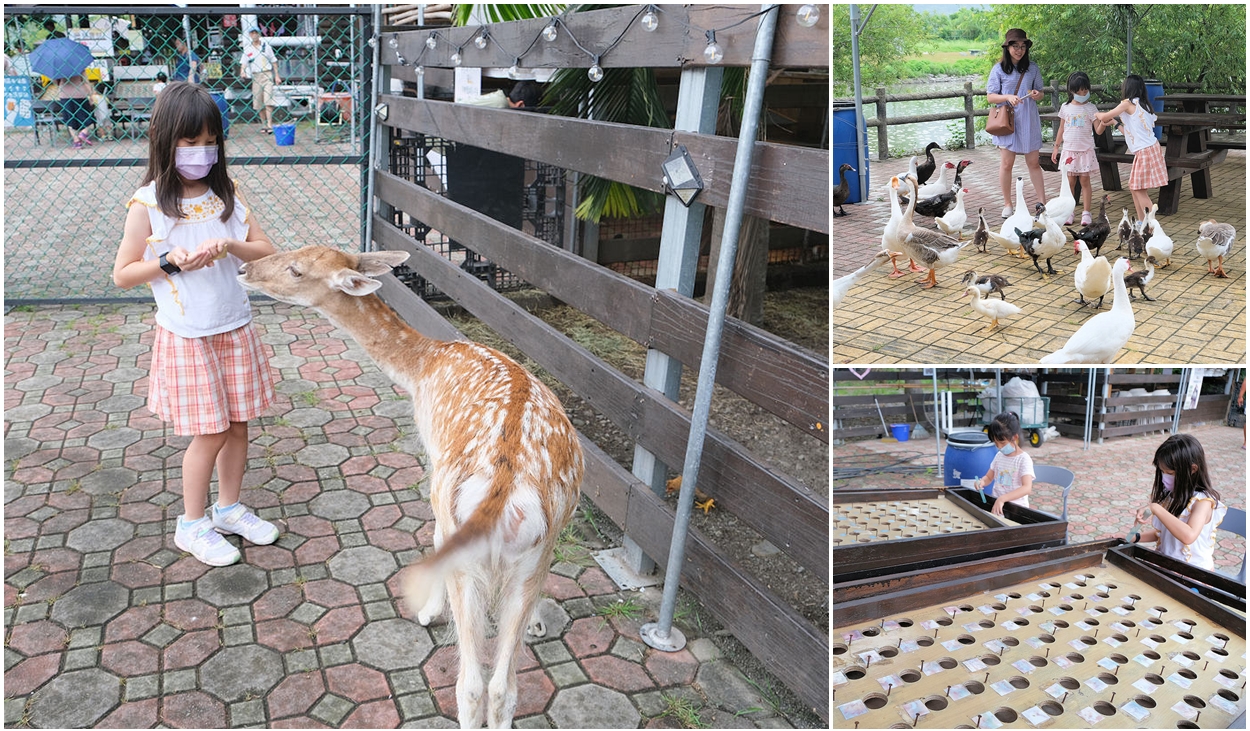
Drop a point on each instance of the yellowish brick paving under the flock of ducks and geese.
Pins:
(1198, 319)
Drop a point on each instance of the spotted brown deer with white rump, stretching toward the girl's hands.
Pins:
(503, 459)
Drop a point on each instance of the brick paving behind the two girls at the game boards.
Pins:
(1113, 479)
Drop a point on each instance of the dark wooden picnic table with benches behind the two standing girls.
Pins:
(1186, 153)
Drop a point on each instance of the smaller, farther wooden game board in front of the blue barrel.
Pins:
(888, 532)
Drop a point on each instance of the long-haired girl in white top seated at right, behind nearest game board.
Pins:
(1184, 508)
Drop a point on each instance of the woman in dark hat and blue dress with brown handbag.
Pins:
(1017, 81)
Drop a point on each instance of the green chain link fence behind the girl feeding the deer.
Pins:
(66, 204)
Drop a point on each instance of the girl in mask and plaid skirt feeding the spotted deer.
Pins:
(187, 233)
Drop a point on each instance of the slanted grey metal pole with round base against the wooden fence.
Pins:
(663, 635)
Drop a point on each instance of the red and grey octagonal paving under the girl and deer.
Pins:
(109, 625)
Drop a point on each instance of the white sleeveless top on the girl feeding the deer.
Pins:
(206, 302)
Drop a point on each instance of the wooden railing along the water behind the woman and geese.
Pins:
(883, 122)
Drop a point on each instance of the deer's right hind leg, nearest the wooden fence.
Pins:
(517, 603)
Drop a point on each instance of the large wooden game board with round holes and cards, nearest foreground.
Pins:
(1072, 638)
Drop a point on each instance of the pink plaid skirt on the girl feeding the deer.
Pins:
(203, 384)
